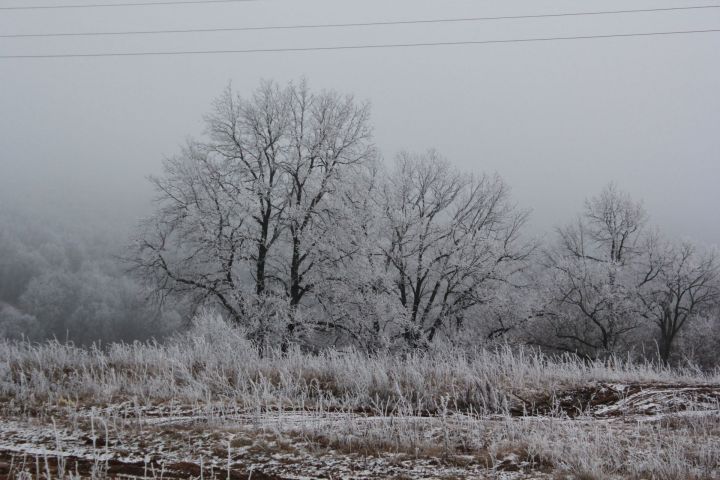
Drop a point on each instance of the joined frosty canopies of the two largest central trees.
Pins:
(284, 200)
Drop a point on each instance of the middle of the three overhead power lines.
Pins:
(360, 24)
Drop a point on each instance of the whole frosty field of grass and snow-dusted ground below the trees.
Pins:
(207, 406)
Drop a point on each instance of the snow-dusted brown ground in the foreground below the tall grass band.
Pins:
(649, 428)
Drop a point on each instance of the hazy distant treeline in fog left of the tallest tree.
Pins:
(66, 282)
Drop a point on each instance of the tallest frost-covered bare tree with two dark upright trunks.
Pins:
(252, 203)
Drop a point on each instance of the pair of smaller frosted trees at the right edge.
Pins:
(608, 275)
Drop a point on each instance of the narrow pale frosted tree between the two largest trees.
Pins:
(356, 293)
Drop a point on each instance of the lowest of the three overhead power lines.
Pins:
(359, 47)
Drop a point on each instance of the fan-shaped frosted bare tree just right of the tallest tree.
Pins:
(449, 237)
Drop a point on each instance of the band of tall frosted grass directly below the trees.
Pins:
(214, 362)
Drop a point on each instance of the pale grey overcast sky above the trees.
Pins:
(556, 119)
